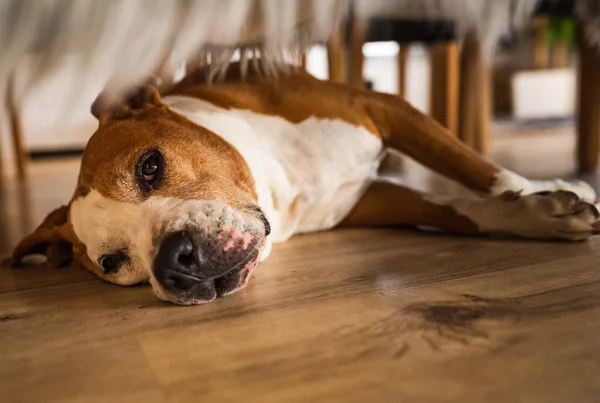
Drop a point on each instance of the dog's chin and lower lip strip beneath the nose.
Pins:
(209, 290)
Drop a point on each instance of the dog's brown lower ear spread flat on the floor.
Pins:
(53, 238)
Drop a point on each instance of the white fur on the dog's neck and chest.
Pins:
(308, 175)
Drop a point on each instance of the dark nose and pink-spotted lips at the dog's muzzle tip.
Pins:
(194, 269)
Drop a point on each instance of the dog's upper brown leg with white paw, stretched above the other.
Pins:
(406, 129)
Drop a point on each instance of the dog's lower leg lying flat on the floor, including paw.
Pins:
(547, 215)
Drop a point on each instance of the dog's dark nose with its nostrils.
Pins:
(175, 264)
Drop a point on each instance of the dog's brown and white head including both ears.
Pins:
(159, 198)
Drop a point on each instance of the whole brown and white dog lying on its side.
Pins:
(190, 190)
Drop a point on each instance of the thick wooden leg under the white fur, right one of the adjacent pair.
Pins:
(475, 96)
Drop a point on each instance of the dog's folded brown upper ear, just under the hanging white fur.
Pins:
(110, 105)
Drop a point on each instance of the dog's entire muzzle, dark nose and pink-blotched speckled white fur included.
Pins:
(206, 251)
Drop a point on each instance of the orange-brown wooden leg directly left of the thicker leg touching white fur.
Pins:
(445, 84)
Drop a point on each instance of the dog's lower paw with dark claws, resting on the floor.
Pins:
(557, 214)
